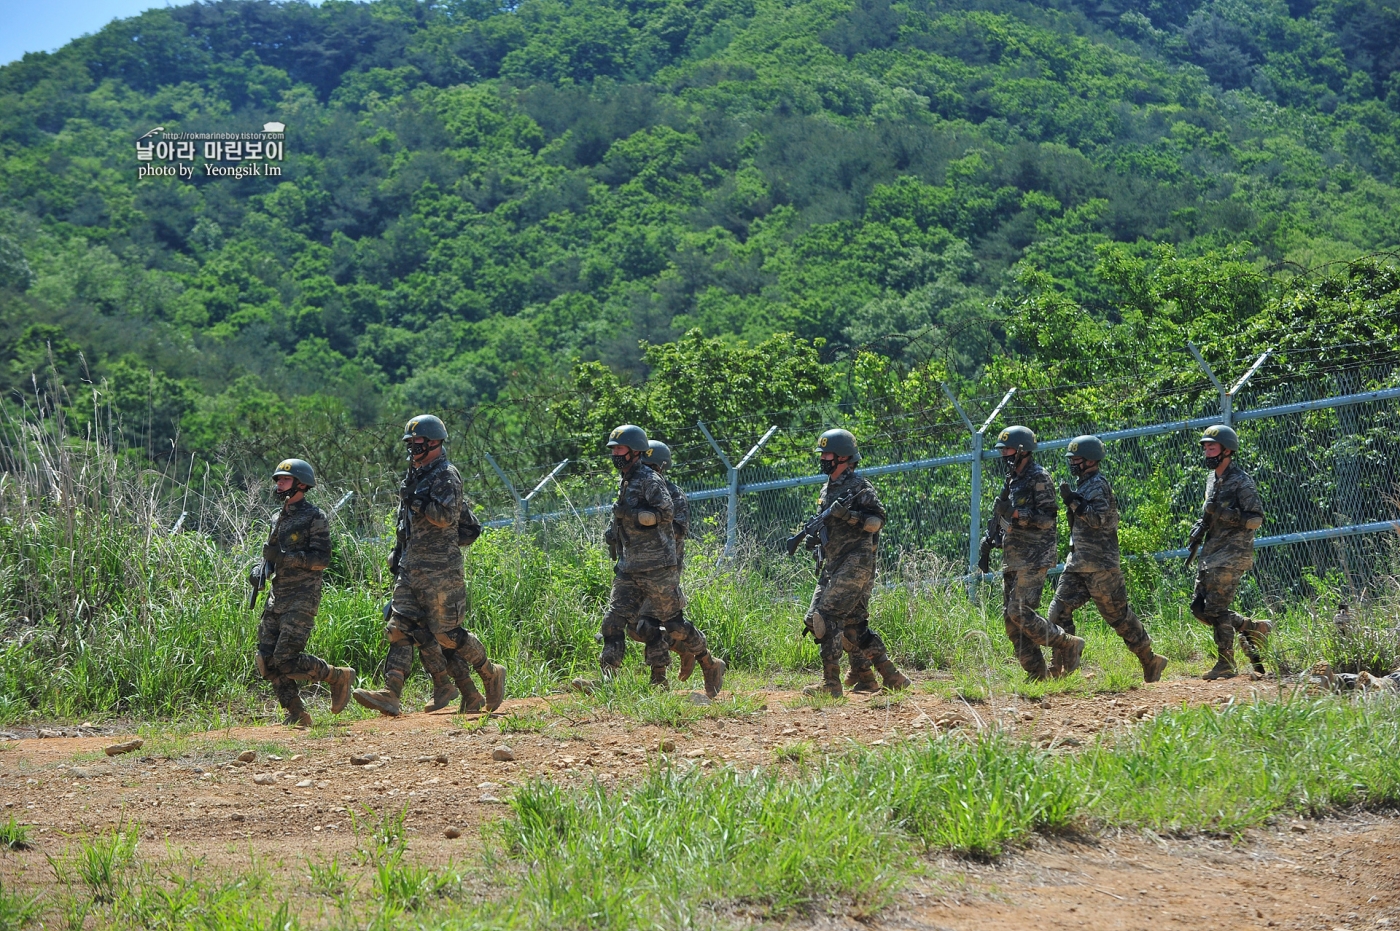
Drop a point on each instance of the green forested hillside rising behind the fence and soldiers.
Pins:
(477, 199)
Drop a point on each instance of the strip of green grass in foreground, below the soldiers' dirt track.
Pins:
(684, 848)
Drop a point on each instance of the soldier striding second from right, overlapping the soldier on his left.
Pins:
(1093, 572)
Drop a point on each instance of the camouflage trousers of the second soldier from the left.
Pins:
(426, 612)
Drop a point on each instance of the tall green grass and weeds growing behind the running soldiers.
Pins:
(166, 635)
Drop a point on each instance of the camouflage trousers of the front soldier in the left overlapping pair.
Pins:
(647, 607)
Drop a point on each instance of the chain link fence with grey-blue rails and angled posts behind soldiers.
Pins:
(1322, 449)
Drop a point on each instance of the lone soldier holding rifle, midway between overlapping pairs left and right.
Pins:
(839, 615)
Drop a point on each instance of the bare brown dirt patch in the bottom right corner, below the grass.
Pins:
(1332, 874)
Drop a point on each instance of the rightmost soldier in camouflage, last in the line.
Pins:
(1226, 541)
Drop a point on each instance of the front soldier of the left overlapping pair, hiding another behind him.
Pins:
(646, 601)
